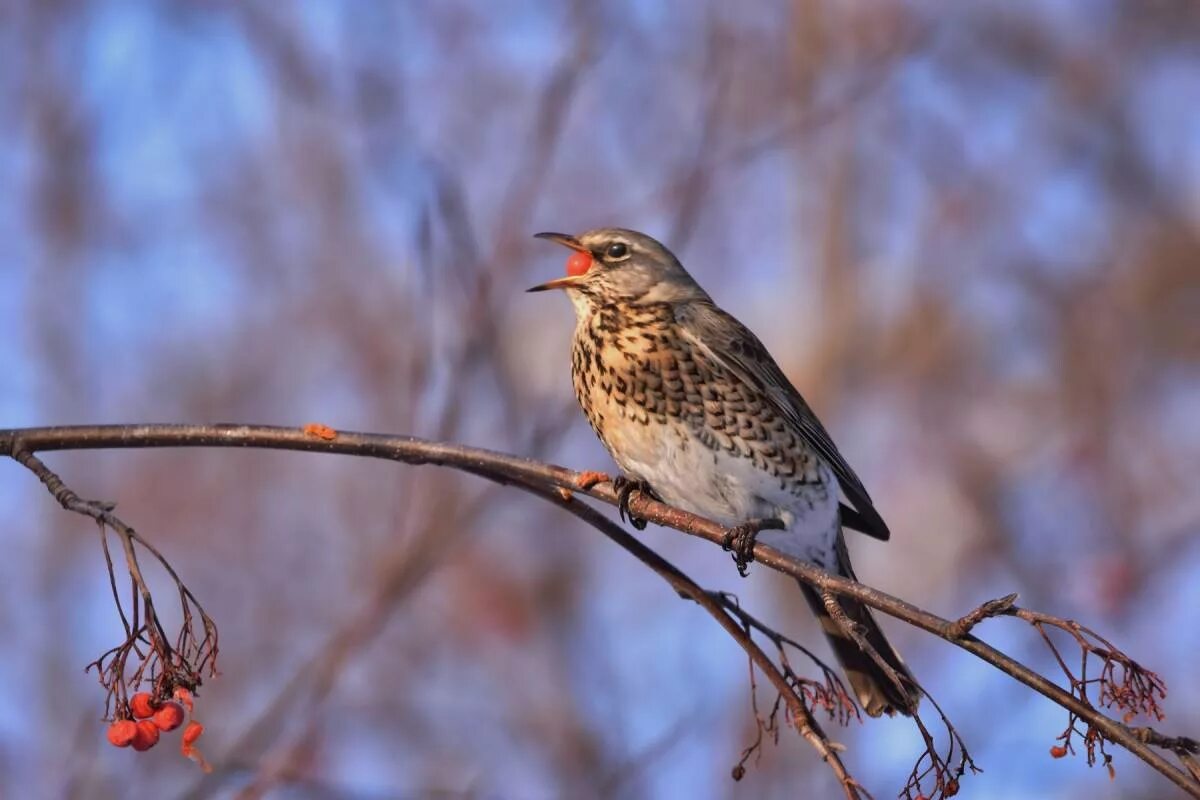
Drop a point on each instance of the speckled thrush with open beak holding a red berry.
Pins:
(697, 413)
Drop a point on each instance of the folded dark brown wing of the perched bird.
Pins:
(730, 345)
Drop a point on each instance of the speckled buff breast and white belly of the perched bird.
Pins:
(704, 440)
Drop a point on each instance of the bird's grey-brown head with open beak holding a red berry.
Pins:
(616, 266)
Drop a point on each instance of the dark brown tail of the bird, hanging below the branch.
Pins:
(875, 691)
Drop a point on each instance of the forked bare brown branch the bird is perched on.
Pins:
(557, 484)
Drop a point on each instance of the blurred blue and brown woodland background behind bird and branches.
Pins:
(969, 232)
